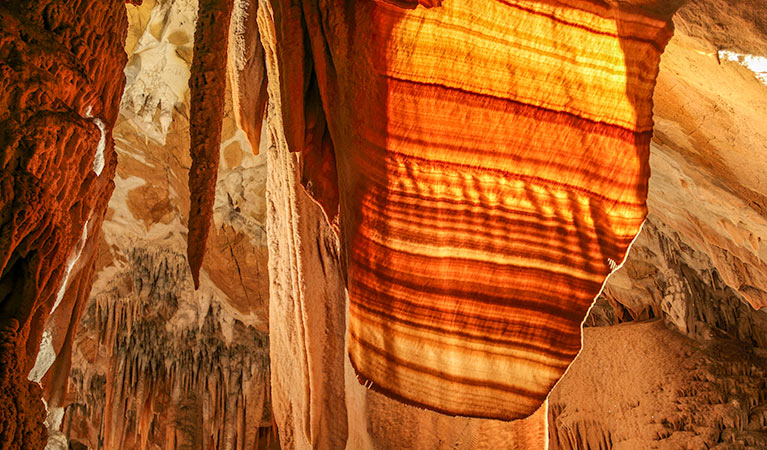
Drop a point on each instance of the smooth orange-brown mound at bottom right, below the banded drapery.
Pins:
(644, 386)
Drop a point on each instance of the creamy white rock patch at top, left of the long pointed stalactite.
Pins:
(157, 73)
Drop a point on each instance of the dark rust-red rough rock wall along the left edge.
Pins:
(61, 78)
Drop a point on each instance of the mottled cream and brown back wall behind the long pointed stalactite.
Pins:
(156, 363)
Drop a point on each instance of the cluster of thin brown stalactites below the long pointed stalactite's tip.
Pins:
(164, 375)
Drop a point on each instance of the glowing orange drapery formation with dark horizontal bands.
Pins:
(492, 167)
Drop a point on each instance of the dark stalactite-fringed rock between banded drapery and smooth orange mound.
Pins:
(670, 280)
